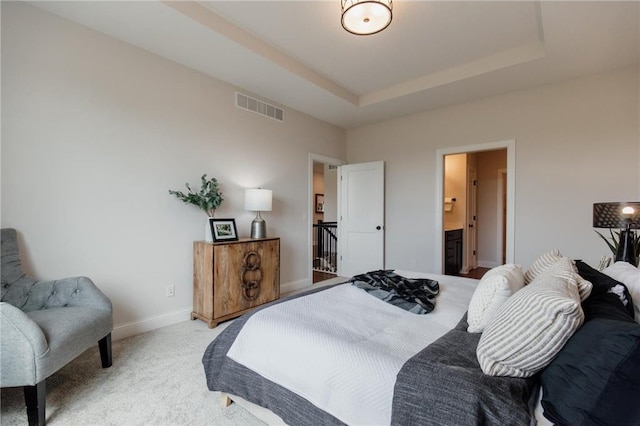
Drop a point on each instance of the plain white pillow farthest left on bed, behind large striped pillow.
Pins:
(495, 287)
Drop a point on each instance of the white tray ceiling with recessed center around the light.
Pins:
(434, 53)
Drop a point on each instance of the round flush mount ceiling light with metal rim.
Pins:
(365, 17)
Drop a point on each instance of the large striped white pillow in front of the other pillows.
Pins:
(531, 327)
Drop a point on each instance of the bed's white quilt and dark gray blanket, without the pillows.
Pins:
(376, 343)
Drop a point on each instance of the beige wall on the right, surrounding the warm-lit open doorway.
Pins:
(577, 142)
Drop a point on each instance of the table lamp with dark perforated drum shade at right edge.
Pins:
(624, 216)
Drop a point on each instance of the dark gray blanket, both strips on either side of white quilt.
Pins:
(441, 385)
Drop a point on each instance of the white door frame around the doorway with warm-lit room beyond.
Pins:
(510, 146)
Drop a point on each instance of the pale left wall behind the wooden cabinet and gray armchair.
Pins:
(94, 133)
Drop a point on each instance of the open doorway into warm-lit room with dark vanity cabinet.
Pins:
(476, 208)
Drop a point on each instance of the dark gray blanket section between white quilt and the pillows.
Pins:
(444, 385)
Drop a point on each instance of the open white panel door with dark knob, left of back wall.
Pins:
(360, 218)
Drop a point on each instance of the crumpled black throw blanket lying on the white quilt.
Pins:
(416, 295)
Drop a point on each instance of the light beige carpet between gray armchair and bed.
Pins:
(156, 379)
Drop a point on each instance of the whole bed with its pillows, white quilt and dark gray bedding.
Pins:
(337, 355)
